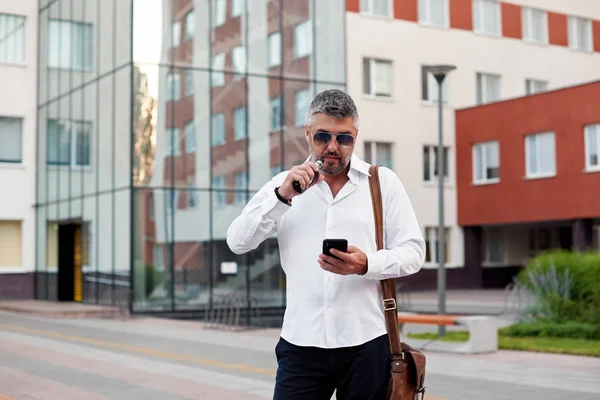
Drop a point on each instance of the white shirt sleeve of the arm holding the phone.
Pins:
(404, 250)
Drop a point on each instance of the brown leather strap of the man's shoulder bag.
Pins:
(388, 286)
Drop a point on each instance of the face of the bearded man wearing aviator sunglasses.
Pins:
(332, 140)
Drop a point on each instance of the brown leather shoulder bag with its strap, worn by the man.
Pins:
(407, 375)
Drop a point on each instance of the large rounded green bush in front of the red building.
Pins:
(566, 286)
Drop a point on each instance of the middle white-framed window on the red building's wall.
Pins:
(540, 155)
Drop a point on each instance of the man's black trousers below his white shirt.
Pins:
(312, 373)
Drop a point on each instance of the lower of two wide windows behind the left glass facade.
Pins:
(69, 143)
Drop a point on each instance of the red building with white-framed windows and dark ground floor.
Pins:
(528, 179)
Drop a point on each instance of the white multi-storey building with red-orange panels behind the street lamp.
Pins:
(500, 50)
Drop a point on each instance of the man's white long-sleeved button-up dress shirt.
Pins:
(325, 309)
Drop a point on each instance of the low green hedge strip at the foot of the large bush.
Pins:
(571, 329)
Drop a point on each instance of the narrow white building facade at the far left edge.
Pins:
(18, 77)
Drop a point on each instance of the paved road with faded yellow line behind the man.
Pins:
(150, 358)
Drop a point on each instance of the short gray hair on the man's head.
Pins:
(333, 103)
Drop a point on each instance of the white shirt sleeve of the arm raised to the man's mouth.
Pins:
(257, 221)
